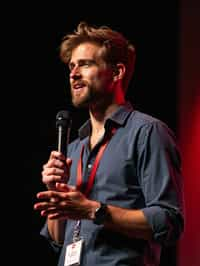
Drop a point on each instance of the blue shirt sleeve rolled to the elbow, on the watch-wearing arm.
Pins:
(159, 168)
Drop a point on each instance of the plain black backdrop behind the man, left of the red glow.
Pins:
(38, 88)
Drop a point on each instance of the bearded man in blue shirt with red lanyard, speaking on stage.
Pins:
(117, 198)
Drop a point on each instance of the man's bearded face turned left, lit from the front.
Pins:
(91, 79)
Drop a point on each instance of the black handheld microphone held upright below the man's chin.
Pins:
(63, 126)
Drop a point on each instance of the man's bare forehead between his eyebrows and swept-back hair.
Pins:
(85, 50)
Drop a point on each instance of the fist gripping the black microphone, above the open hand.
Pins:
(56, 170)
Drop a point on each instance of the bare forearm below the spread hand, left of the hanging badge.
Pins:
(56, 228)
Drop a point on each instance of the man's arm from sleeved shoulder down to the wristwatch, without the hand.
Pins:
(160, 178)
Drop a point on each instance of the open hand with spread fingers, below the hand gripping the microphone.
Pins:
(66, 202)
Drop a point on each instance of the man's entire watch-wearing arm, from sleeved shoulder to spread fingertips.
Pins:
(159, 176)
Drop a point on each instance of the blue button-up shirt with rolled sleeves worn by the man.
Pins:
(140, 169)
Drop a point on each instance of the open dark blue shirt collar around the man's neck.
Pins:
(118, 117)
